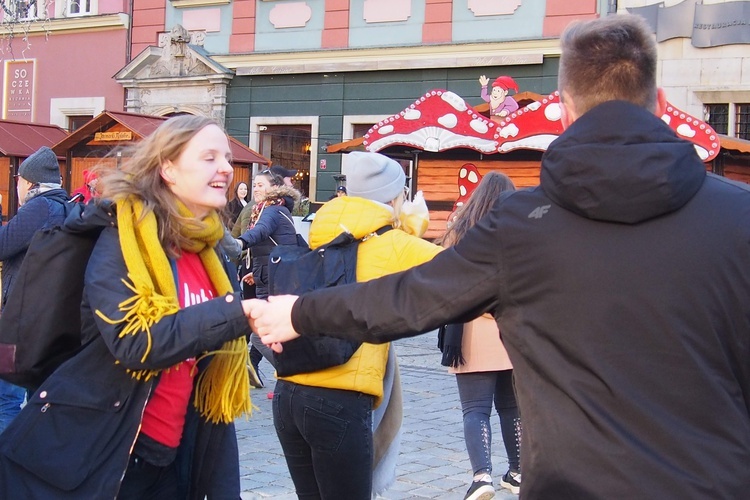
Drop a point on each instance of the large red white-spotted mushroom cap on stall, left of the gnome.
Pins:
(437, 121)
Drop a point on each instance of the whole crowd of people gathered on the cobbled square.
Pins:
(604, 313)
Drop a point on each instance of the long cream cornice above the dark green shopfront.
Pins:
(392, 58)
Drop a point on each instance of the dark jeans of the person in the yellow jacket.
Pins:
(326, 435)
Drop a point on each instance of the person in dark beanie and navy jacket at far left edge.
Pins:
(42, 203)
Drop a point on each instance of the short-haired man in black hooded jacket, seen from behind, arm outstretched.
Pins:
(621, 287)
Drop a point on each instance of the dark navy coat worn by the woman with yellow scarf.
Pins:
(74, 437)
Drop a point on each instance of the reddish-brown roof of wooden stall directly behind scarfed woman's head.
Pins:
(142, 126)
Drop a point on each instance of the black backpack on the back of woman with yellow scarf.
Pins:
(40, 324)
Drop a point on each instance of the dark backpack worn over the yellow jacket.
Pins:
(297, 270)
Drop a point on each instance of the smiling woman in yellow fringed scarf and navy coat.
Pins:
(146, 408)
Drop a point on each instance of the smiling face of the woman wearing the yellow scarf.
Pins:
(201, 175)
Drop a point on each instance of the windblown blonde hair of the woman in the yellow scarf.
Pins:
(140, 176)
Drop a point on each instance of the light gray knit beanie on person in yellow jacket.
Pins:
(374, 176)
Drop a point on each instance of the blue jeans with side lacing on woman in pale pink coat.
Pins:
(477, 391)
